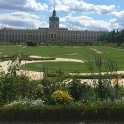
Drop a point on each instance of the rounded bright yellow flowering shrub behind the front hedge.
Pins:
(61, 97)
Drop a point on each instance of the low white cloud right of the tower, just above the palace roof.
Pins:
(86, 23)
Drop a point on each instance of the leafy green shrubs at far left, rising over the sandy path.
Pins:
(13, 87)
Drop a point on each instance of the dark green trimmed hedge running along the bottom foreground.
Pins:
(66, 113)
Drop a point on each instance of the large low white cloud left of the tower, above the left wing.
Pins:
(21, 20)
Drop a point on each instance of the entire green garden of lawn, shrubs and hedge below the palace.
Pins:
(52, 98)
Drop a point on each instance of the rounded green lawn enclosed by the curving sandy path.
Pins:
(55, 66)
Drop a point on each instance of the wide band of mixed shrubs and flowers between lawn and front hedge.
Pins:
(56, 89)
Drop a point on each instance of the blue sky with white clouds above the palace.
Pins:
(73, 14)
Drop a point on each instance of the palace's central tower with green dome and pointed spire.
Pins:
(54, 21)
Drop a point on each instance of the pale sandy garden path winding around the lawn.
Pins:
(39, 75)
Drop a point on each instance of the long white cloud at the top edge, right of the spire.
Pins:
(80, 5)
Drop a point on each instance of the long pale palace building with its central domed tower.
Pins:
(52, 34)
